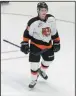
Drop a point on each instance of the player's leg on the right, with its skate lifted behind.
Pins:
(48, 57)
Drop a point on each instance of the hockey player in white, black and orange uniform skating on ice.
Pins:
(42, 33)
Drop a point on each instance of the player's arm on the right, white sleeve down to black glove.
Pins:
(55, 37)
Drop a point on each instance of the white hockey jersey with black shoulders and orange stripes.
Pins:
(41, 32)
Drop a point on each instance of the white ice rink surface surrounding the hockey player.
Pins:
(15, 72)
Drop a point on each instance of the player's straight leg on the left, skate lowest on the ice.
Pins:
(34, 61)
